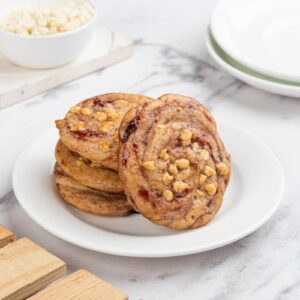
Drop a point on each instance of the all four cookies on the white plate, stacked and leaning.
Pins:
(165, 155)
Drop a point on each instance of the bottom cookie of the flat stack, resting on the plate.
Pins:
(90, 200)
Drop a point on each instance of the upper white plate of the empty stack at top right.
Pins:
(261, 34)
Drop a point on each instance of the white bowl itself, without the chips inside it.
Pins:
(46, 51)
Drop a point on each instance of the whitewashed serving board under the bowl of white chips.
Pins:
(105, 48)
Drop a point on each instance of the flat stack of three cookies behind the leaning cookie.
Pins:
(86, 155)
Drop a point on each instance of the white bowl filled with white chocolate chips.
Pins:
(44, 33)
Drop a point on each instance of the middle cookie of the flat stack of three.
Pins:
(85, 172)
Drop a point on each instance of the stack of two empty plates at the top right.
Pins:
(258, 41)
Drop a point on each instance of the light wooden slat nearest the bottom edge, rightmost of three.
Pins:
(80, 285)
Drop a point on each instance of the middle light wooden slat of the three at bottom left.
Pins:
(25, 268)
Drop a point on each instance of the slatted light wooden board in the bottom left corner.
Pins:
(27, 269)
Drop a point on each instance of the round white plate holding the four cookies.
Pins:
(252, 197)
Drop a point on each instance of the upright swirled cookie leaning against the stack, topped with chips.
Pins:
(172, 162)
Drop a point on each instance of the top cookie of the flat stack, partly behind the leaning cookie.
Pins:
(90, 128)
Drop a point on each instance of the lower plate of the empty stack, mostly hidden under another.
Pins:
(253, 78)
